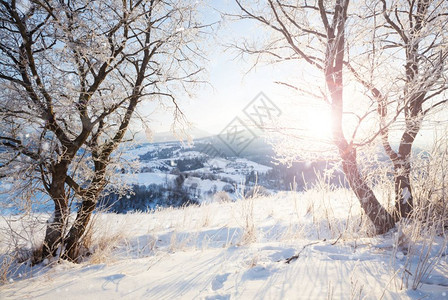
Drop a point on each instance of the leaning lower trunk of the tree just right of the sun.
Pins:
(380, 217)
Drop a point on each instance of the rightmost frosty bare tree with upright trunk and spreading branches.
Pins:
(406, 76)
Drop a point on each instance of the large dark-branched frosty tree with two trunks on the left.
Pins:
(72, 74)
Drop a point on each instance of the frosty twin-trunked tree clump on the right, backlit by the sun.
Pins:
(396, 51)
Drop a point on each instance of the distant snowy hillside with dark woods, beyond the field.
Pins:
(176, 174)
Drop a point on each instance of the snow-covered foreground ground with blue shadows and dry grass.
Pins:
(313, 245)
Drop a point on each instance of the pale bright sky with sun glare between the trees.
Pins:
(233, 84)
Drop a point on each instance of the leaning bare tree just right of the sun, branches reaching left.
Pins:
(315, 32)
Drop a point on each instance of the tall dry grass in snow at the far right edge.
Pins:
(418, 235)
